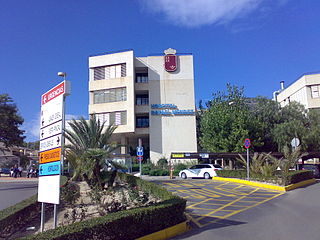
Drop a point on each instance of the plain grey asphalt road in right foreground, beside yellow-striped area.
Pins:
(293, 215)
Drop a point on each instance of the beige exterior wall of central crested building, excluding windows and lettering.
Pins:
(166, 134)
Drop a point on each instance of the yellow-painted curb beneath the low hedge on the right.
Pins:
(269, 186)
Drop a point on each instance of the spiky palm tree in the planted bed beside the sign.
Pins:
(88, 149)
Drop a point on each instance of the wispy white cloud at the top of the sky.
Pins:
(192, 13)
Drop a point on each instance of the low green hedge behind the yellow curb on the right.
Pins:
(293, 177)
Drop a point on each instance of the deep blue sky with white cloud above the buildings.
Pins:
(250, 43)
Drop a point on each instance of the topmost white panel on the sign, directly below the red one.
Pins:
(51, 112)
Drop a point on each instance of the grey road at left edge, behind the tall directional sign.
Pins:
(14, 191)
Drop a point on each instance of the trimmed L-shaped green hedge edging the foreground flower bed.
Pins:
(127, 224)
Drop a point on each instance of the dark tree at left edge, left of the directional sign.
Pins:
(10, 121)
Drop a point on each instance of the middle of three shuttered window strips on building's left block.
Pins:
(110, 95)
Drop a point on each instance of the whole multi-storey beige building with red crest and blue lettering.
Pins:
(149, 98)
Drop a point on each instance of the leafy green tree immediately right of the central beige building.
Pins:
(224, 125)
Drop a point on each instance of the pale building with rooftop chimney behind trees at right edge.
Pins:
(305, 90)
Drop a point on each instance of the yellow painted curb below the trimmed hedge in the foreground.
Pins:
(168, 232)
